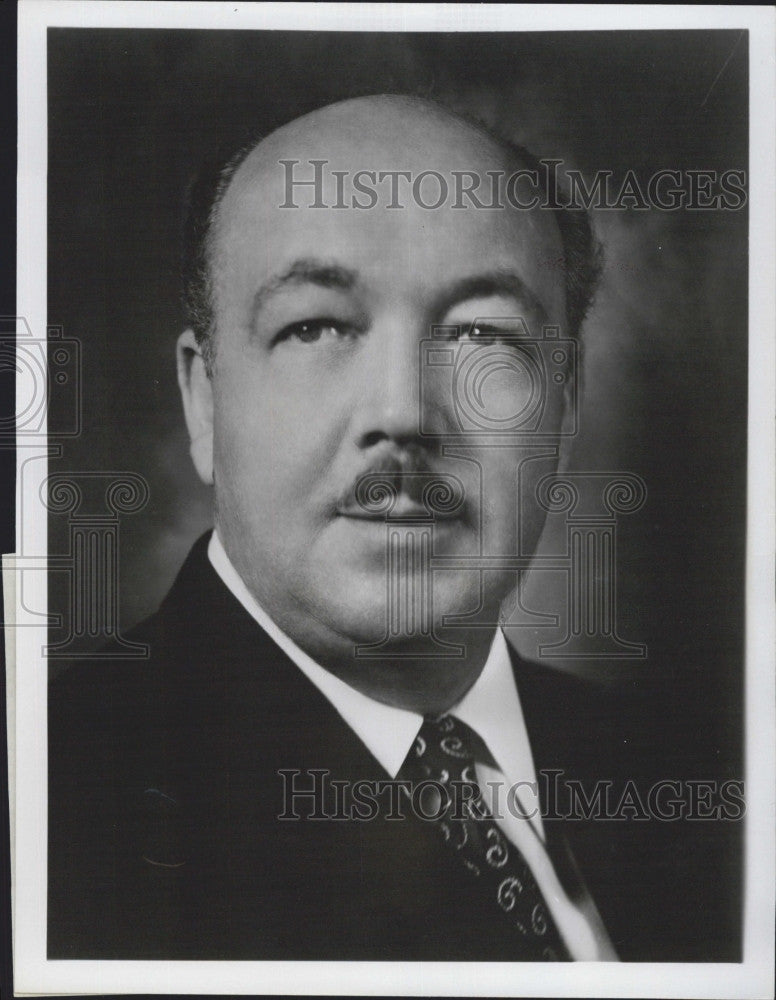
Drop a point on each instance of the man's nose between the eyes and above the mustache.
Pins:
(389, 402)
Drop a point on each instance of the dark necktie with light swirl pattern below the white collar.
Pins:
(443, 757)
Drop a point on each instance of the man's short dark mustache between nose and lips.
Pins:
(404, 486)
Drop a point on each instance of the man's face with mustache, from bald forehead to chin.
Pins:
(317, 381)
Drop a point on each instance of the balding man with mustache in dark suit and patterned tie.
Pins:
(318, 636)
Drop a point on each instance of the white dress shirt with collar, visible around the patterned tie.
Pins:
(492, 708)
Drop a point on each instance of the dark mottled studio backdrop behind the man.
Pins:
(134, 112)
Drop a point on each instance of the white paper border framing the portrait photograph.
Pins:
(34, 974)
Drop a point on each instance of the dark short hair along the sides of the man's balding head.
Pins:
(583, 255)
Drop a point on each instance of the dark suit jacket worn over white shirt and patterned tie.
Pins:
(164, 840)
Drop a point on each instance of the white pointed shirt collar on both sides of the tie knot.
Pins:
(491, 706)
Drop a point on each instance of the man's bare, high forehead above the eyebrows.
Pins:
(406, 250)
